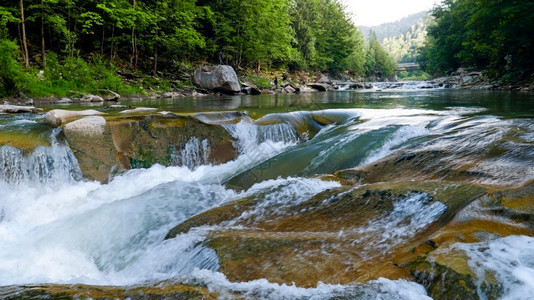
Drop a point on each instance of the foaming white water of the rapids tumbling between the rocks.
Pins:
(56, 227)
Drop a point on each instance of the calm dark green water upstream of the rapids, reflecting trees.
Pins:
(495, 102)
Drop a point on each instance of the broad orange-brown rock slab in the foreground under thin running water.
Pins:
(290, 246)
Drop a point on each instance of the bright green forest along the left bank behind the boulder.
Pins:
(48, 47)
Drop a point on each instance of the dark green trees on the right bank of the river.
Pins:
(491, 35)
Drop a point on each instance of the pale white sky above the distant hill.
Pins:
(376, 12)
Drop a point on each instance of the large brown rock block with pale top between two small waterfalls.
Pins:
(140, 141)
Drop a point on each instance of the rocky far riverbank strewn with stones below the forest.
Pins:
(251, 83)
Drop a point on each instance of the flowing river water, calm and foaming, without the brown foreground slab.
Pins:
(56, 227)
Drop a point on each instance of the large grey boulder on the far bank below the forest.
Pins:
(217, 78)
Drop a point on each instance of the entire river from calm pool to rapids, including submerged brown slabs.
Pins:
(453, 167)
